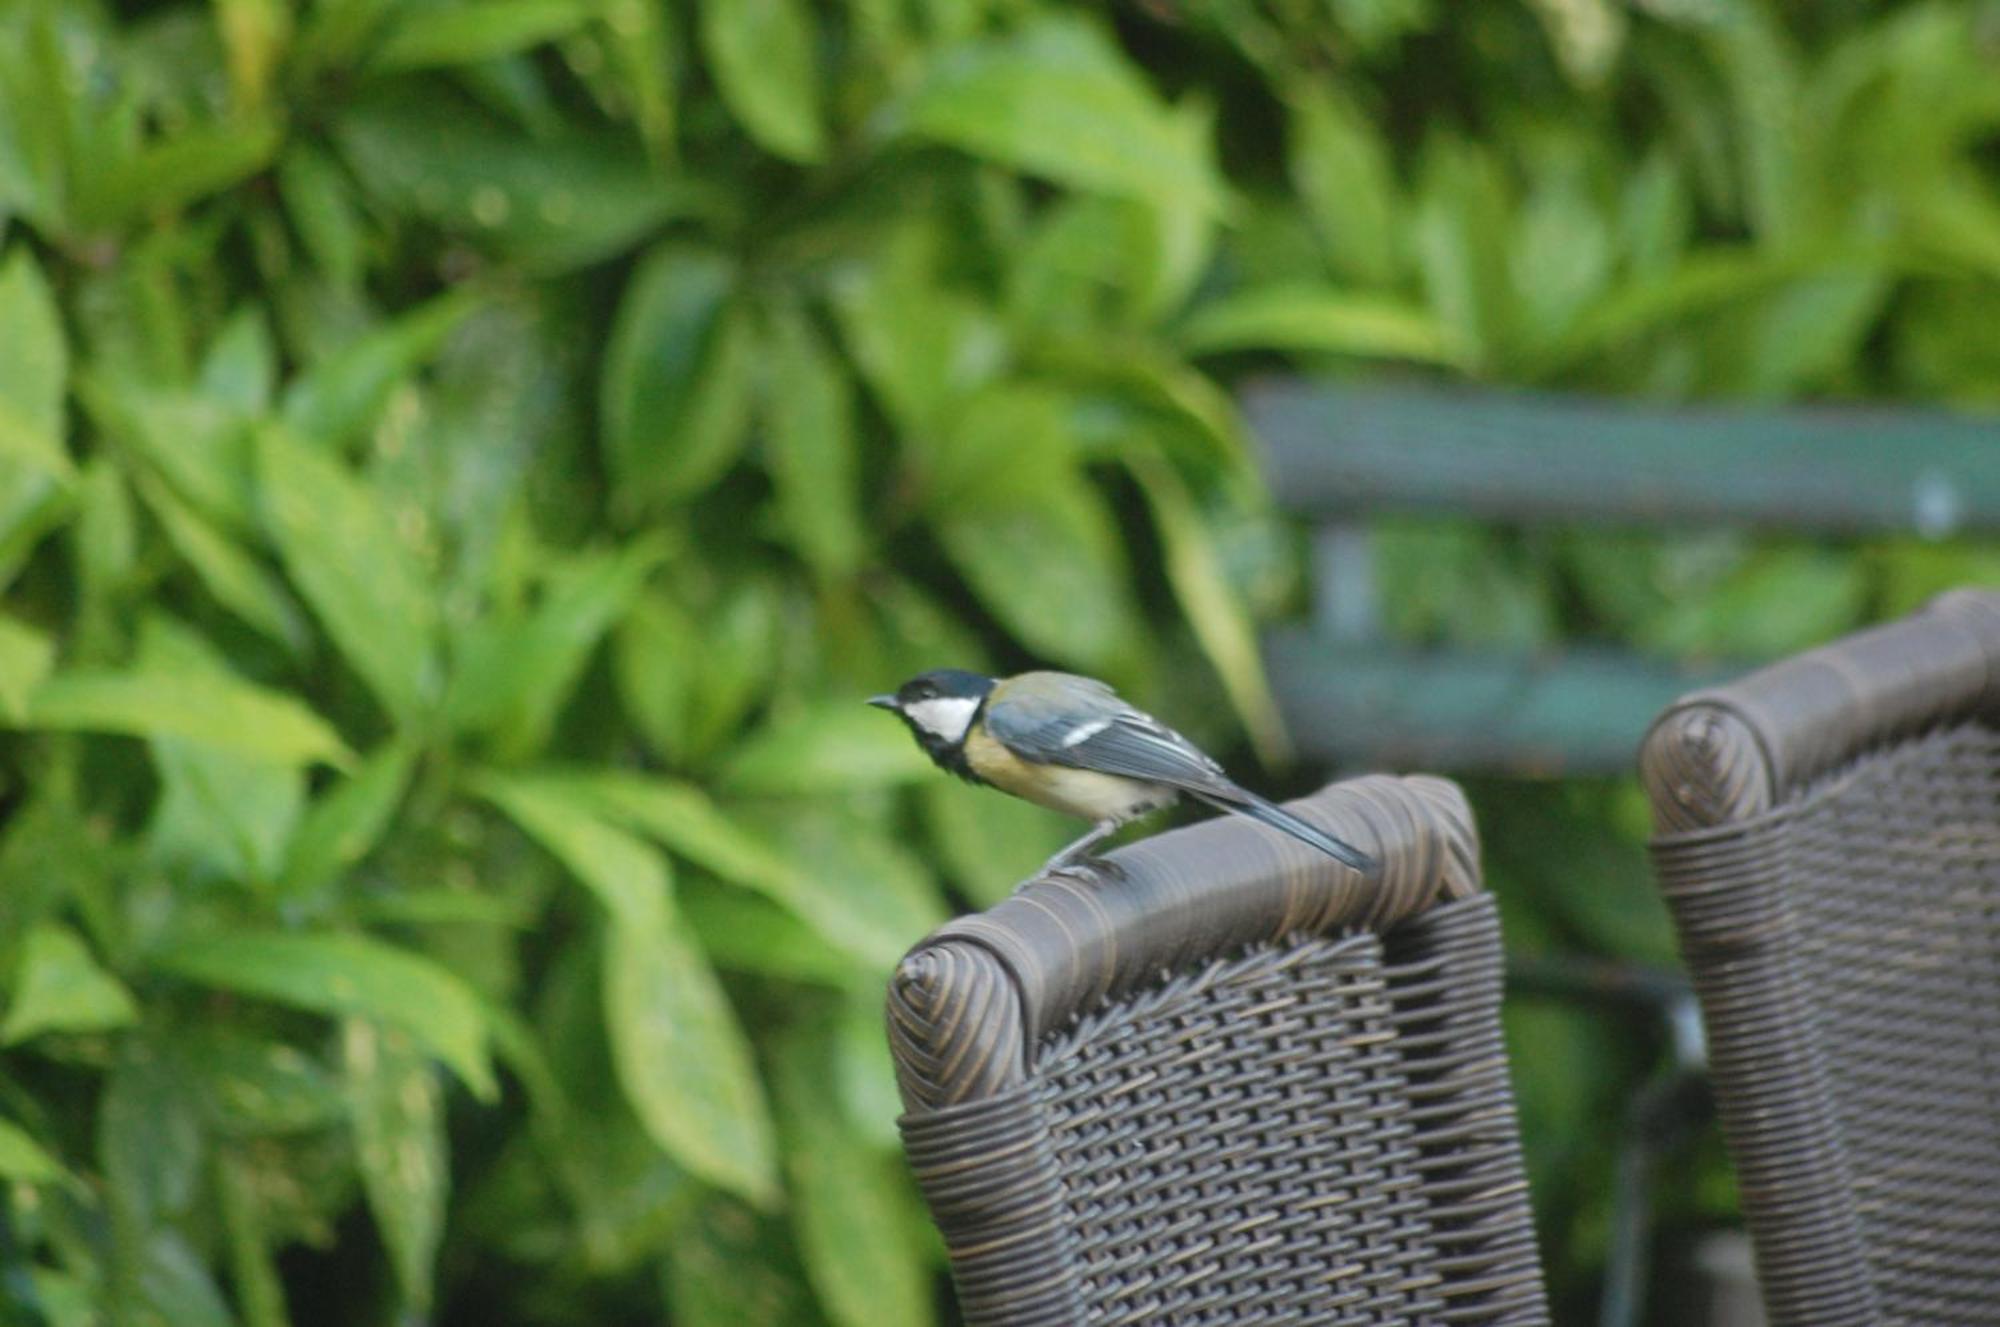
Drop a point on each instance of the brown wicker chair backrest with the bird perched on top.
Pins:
(1227, 1080)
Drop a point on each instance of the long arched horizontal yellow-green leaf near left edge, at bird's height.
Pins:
(209, 708)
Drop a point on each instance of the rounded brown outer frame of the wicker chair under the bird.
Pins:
(979, 1004)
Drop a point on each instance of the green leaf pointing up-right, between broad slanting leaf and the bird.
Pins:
(515, 674)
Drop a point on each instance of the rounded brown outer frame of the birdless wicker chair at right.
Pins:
(1725, 768)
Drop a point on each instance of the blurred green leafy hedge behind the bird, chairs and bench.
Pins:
(461, 465)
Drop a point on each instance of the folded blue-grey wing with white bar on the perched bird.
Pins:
(1091, 728)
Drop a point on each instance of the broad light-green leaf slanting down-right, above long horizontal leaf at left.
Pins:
(343, 551)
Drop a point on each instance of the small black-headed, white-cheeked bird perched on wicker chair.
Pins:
(1073, 746)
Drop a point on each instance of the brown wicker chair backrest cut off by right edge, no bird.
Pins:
(1829, 840)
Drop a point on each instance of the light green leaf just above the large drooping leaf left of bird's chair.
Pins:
(625, 874)
